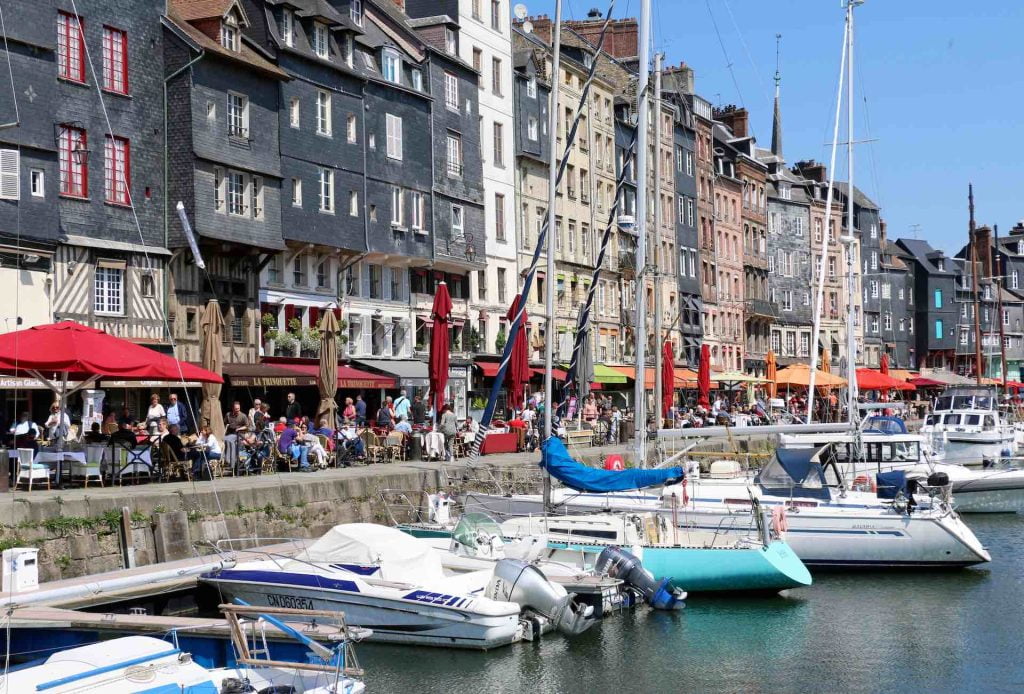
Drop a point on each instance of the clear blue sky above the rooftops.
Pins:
(943, 80)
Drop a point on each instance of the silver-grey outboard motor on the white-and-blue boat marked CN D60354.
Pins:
(517, 582)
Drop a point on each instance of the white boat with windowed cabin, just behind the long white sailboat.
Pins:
(885, 445)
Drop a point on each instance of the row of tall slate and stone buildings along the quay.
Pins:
(350, 155)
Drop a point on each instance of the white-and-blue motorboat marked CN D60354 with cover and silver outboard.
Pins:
(387, 581)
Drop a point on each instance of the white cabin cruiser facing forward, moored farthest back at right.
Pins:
(969, 426)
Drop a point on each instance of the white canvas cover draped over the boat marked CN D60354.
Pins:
(359, 547)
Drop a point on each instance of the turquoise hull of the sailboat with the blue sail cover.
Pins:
(755, 570)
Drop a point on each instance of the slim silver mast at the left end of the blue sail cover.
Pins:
(549, 301)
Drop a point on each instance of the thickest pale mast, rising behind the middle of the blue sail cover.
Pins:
(641, 330)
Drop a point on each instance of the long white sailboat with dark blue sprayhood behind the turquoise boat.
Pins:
(826, 525)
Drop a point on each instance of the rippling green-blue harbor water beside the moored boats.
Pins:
(905, 632)
